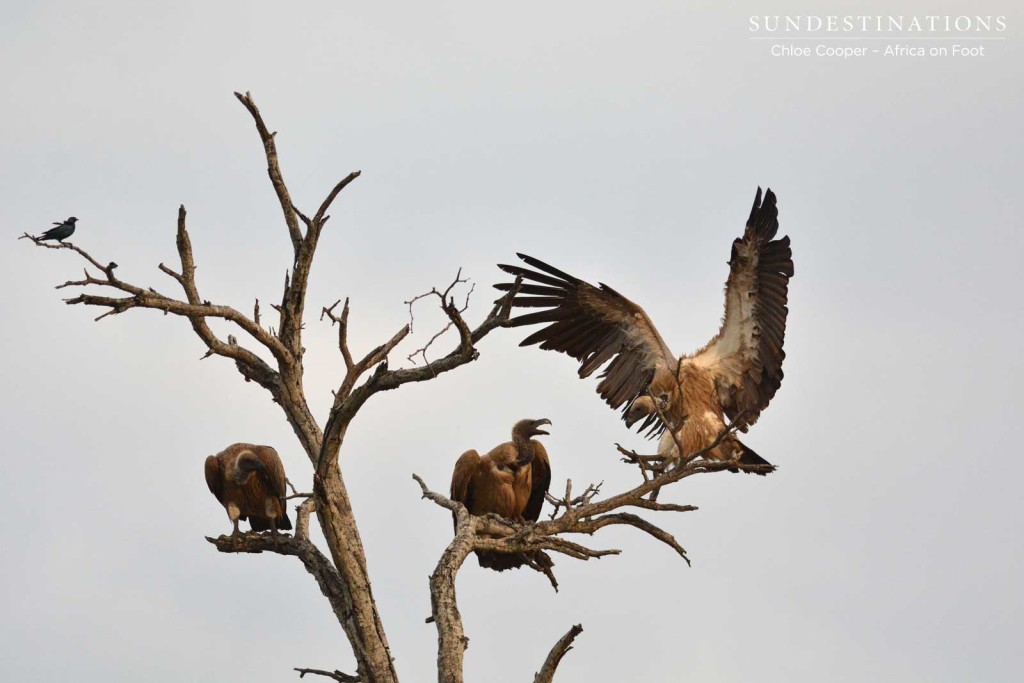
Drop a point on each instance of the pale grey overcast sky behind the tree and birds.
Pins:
(620, 142)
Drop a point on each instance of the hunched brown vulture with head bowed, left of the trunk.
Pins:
(249, 482)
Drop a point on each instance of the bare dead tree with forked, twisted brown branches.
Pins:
(343, 574)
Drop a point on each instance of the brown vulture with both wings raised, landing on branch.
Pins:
(734, 376)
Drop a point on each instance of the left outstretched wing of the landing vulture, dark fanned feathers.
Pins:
(593, 325)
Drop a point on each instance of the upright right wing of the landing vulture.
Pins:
(746, 358)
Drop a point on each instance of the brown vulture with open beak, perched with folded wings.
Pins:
(510, 482)
